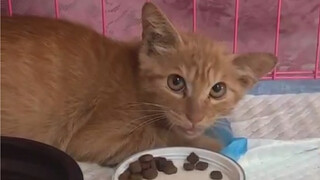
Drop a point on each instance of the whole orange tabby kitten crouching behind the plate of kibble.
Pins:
(102, 100)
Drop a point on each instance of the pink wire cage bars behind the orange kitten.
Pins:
(276, 74)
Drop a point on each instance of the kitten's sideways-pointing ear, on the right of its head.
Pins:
(252, 66)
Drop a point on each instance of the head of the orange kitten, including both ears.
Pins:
(191, 76)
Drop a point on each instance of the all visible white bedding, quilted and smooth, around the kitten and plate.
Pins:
(265, 120)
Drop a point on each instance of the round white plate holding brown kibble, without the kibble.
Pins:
(229, 168)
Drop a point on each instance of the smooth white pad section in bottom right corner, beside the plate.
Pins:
(282, 160)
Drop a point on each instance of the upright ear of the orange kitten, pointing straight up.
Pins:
(159, 36)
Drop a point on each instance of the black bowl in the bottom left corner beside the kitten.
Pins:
(23, 159)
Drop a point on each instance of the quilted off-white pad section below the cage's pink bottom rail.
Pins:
(282, 117)
